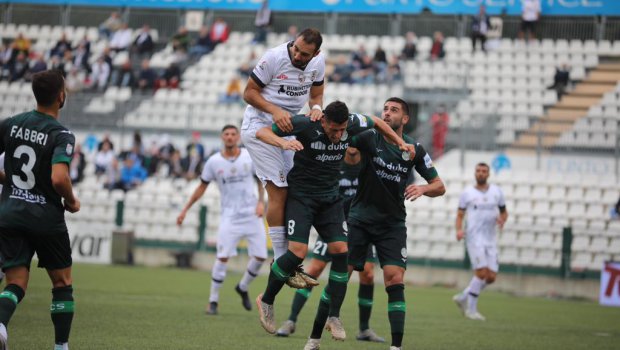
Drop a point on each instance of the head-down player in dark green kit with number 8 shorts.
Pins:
(313, 200)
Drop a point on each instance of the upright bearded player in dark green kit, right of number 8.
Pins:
(377, 214)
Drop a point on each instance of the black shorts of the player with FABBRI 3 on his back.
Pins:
(18, 248)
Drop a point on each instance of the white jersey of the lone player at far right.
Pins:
(482, 210)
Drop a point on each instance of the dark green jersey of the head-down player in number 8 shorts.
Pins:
(316, 169)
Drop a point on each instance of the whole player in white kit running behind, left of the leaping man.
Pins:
(233, 171)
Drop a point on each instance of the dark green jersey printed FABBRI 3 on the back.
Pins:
(32, 143)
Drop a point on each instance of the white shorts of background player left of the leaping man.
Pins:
(230, 233)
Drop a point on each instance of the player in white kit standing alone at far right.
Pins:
(486, 209)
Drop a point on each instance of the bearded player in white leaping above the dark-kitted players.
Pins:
(286, 78)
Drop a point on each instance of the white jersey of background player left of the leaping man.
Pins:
(235, 179)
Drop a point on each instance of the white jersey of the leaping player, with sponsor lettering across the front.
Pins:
(283, 84)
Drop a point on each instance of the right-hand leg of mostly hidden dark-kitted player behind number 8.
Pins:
(365, 297)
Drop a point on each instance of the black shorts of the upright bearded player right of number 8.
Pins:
(390, 243)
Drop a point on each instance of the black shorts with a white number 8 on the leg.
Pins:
(325, 214)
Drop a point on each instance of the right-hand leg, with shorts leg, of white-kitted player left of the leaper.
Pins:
(257, 250)
